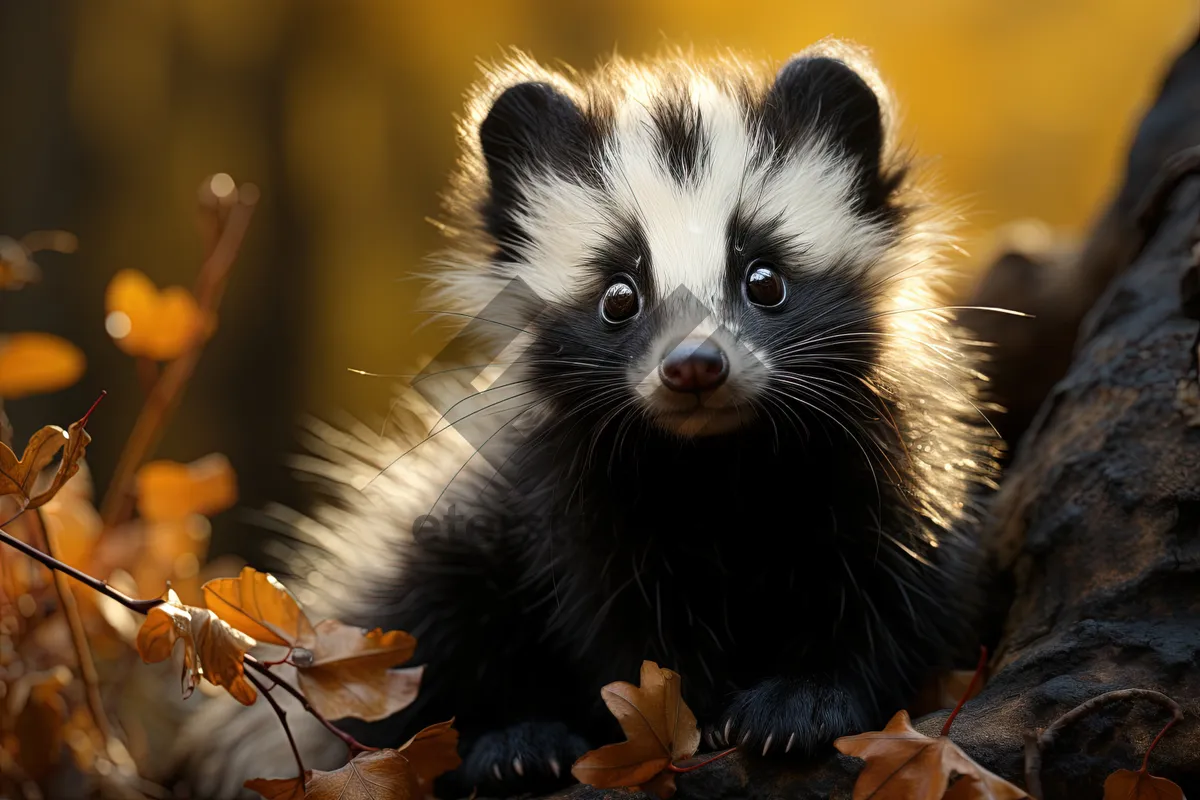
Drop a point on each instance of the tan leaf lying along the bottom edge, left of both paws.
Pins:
(377, 775)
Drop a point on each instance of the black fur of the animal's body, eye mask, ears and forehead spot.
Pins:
(787, 570)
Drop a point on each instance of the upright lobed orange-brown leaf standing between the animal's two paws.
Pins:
(659, 730)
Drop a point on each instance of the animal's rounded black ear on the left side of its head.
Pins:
(531, 128)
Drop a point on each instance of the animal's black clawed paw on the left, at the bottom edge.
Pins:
(532, 757)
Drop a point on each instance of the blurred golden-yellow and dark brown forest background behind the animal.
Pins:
(343, 112)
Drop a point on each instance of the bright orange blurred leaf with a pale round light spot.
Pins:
(146, 322)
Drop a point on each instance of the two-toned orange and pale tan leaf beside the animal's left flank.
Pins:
(346, 672)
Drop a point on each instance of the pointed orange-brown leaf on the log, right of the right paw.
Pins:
(905, 765)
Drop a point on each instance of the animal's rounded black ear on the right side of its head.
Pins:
(825, 97)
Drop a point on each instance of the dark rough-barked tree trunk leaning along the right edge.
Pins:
(1097, 526)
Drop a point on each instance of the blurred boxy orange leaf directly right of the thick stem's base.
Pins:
(170, 491)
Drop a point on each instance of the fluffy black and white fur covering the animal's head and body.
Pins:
(793, 543)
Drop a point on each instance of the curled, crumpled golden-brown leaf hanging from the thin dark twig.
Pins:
(212, 648)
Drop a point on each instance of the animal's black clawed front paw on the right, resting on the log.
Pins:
(795, 718)
